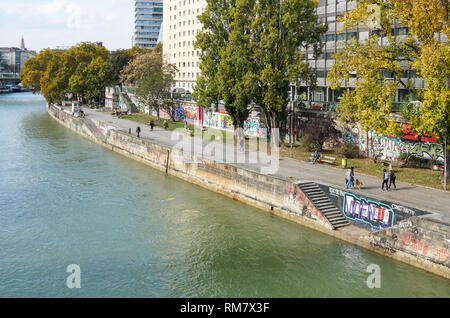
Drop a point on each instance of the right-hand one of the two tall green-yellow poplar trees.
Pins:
(280, 29)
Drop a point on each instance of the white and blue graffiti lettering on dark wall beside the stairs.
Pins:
(376, 214)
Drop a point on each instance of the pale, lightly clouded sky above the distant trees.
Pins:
(54, 23)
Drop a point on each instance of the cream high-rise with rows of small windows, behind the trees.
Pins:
(180, 28)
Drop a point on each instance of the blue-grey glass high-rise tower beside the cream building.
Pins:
(148, 23)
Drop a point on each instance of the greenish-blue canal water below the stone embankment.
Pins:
(135, 232)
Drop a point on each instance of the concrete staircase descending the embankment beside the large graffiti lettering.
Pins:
(321, 201)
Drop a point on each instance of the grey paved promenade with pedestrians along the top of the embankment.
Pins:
(409, 195)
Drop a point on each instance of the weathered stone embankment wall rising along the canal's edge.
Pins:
(271, 194)
